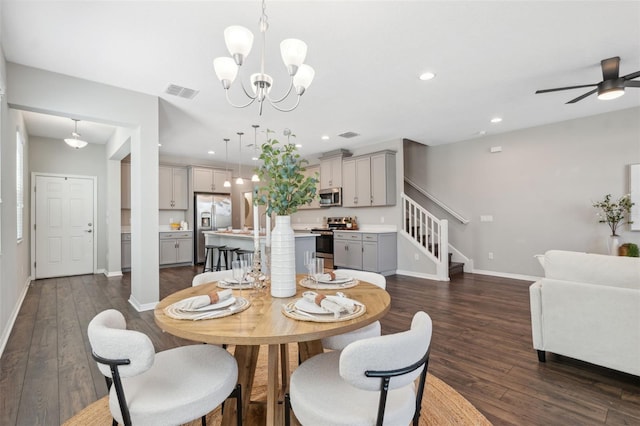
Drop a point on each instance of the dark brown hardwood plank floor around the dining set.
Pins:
(481, 347)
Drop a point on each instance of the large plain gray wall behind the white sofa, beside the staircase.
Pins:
(539, 189)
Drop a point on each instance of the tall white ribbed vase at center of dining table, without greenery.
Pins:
(283, 260)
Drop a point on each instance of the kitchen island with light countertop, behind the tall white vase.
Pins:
(244, 240)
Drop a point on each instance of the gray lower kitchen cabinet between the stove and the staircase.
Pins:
(374, 252)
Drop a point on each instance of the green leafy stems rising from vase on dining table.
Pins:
(284, 187)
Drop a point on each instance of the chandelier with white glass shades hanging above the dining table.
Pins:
(239, 41)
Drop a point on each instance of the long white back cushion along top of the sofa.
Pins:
(615, 271)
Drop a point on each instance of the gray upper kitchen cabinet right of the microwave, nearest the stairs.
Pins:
(369, 180)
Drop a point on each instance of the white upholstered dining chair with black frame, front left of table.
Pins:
(170, 387)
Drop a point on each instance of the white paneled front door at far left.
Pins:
(64, 226)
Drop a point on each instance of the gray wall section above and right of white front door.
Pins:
(48, 155)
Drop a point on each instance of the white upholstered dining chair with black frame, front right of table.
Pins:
(370, 382)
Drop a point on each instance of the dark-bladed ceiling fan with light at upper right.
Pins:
(611, 87)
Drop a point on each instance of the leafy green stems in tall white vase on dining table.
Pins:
(284, 188)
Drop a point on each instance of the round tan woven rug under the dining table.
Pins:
(441, 405)
